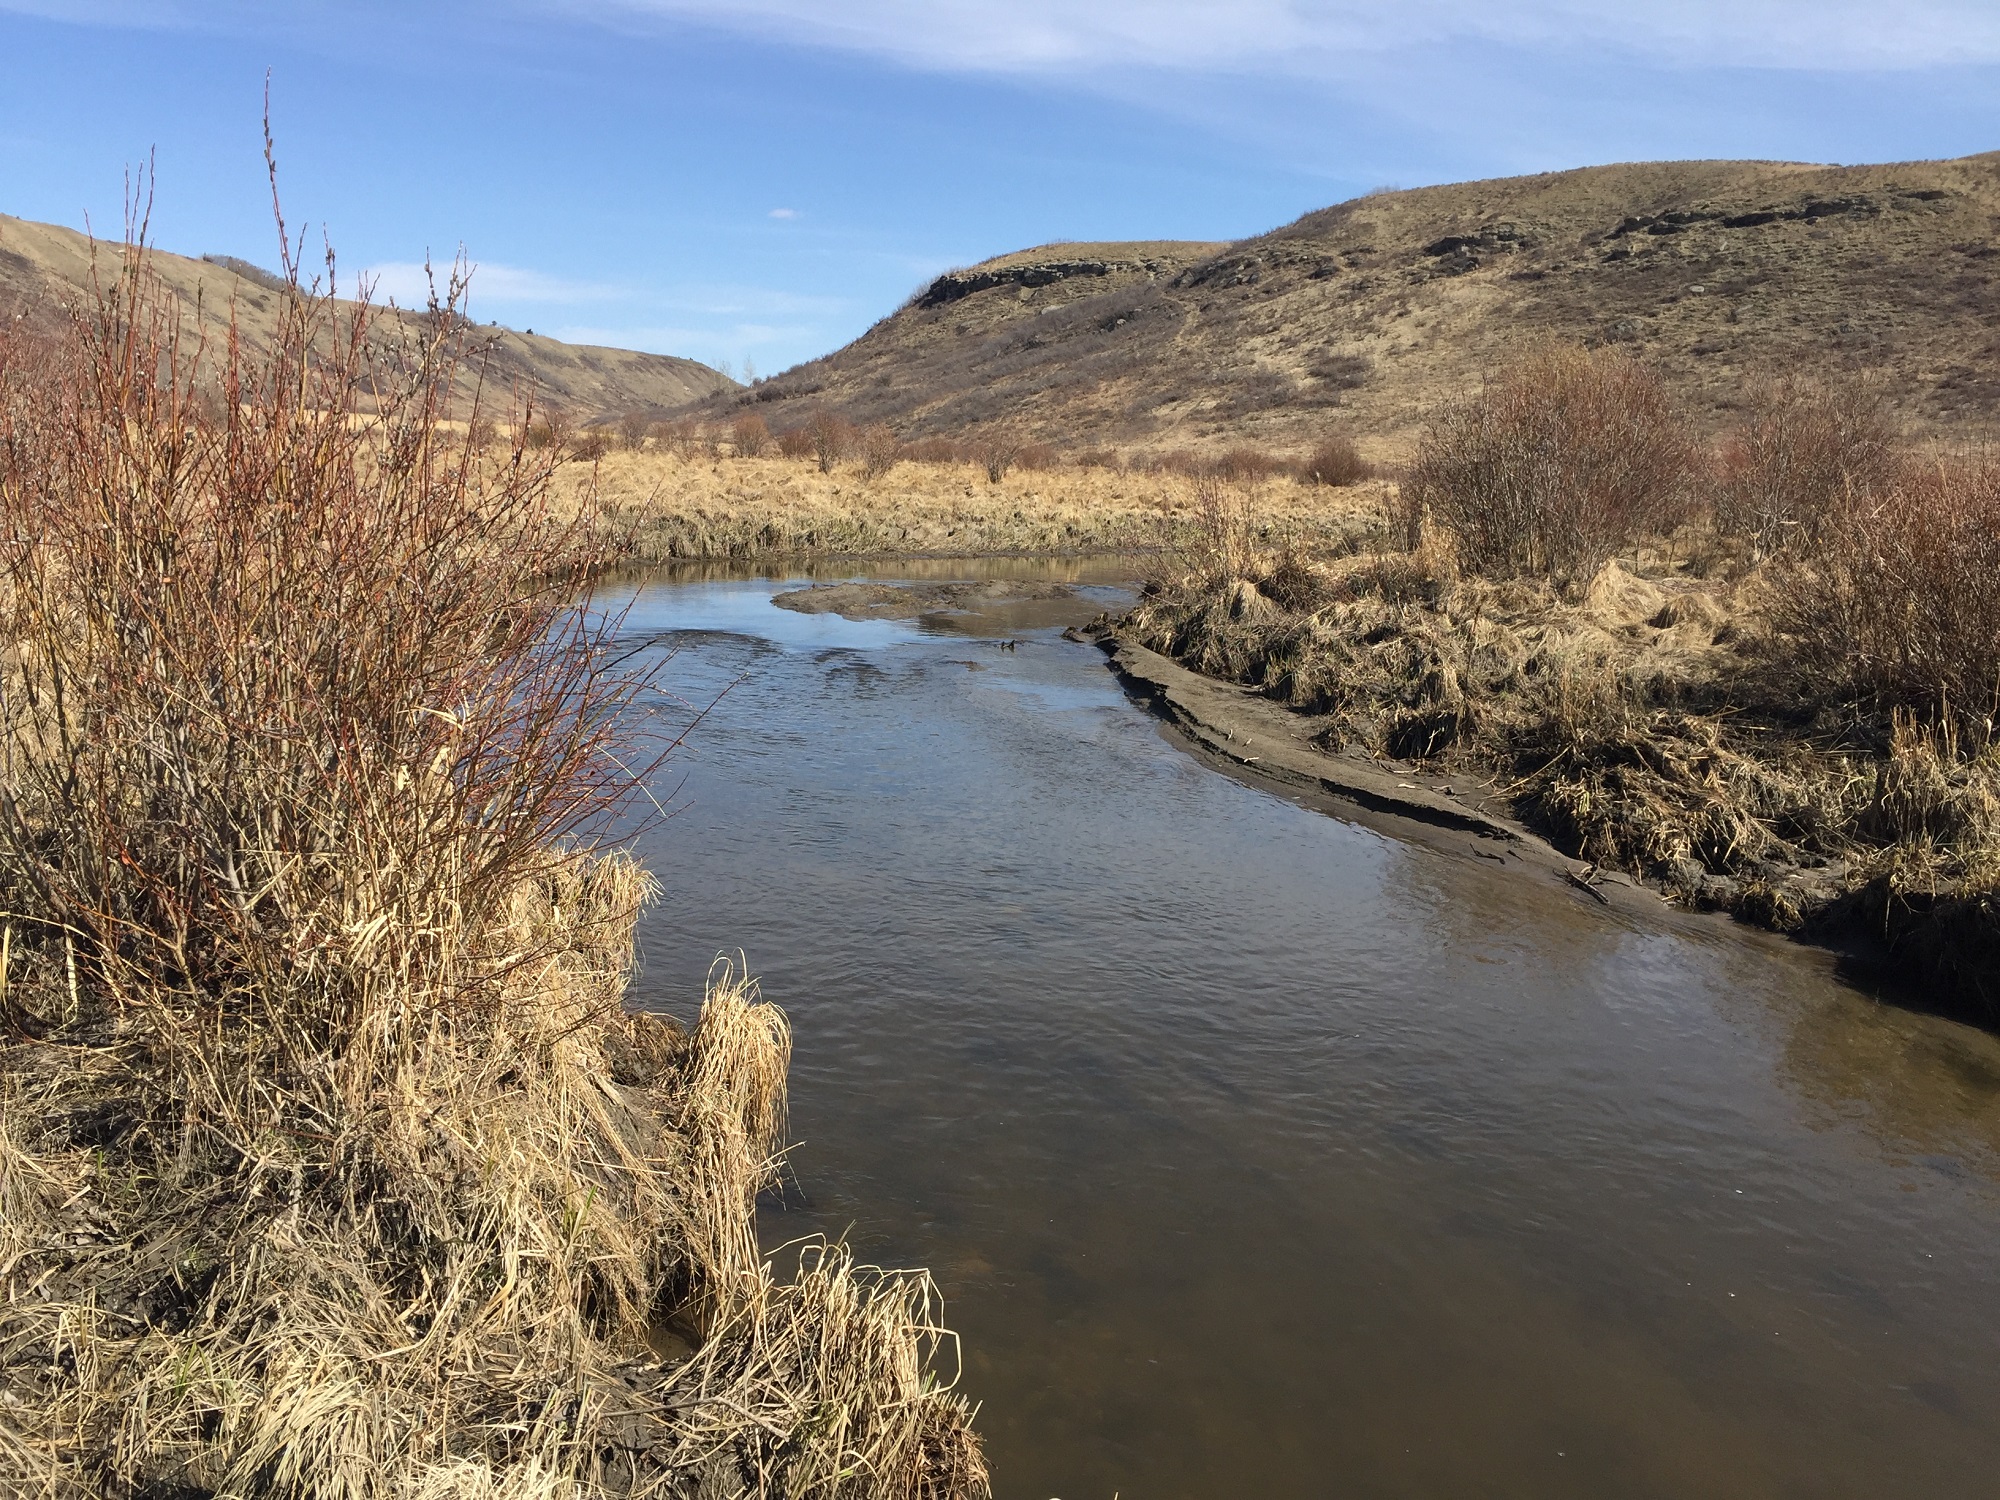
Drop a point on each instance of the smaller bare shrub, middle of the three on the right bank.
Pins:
(1807, 451)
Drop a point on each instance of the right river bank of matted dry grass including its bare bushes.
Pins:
(1769, 687)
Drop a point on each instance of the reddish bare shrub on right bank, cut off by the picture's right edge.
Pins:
(1897, 599)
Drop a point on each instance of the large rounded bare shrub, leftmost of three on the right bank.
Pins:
(1555, 467)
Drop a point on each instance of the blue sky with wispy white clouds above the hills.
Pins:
(757, 181)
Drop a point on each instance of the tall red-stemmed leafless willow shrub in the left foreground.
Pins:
(299, 689)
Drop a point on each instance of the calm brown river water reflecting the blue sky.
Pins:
(1265, 1155)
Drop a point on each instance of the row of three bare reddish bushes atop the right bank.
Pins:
(1885, 567)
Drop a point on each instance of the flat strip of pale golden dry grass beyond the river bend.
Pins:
(671, 507)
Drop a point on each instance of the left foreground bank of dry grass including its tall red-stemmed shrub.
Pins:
(331, 1163)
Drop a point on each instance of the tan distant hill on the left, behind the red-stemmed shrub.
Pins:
(45, 269)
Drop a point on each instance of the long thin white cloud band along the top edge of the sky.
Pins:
(1303, 37)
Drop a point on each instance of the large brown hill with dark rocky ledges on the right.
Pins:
(1361, 317)
